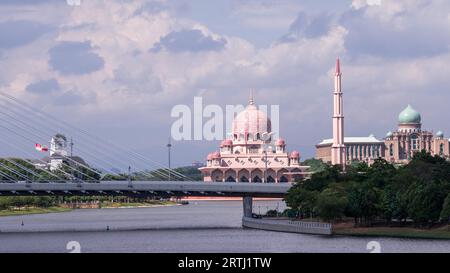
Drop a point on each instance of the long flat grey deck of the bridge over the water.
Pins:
(147, 188)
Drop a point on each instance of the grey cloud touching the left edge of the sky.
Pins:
(18, 33)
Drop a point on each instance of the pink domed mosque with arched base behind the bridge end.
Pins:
(251, 155)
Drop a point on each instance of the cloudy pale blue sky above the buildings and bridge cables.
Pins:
(117, 67)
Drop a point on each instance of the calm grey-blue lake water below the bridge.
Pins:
(203, 226)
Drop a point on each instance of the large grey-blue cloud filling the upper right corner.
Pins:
(396, 29)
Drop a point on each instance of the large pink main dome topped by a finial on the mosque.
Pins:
(251, 121)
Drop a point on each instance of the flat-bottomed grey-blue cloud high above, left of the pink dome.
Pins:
(191, 40)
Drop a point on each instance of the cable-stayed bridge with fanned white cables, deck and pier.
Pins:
(23, 126)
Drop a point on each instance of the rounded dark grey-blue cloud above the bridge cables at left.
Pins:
(75, 58)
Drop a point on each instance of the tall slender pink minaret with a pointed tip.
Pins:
(338, 148)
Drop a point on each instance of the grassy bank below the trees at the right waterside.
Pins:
(442, 232)
